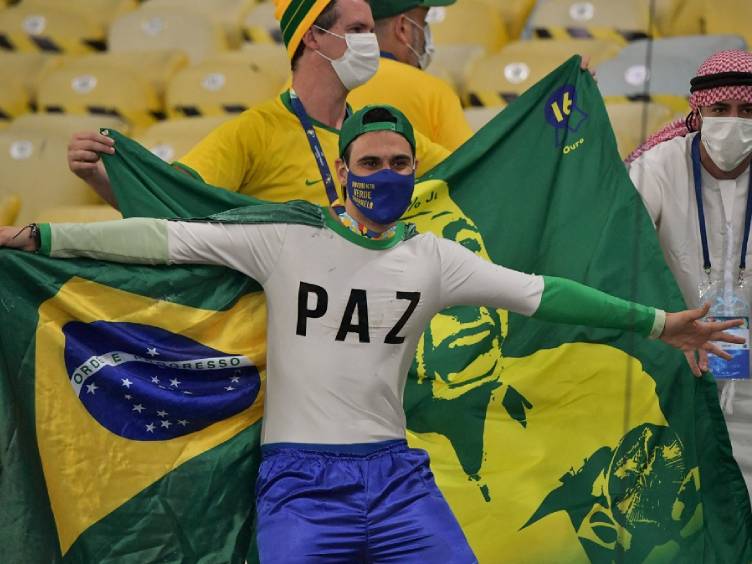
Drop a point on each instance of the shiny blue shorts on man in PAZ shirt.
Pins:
(316, 506)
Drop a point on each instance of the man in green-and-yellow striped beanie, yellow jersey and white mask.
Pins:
(273, 151)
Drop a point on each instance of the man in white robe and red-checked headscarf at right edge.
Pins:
(693, 177)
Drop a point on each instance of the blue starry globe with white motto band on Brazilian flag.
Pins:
(148, 384)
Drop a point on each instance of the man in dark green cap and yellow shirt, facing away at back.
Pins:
(406, 49)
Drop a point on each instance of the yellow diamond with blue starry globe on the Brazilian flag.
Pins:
(128, 388)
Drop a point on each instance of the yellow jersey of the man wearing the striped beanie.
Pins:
(265, 153)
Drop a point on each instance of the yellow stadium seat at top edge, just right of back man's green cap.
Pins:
(468, 22)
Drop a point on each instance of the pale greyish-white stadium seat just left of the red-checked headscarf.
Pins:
(673, 64)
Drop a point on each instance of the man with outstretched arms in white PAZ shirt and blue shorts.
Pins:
(349, 292)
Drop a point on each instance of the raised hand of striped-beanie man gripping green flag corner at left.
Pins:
(84, 160)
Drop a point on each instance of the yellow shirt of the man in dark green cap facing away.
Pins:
(428, 102)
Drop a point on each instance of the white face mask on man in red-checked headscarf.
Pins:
(728, 141)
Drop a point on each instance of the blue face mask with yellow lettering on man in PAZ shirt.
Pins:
(382, 196)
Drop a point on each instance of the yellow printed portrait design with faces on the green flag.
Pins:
(516, 442)
